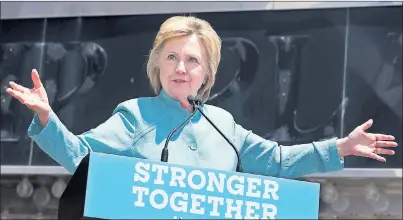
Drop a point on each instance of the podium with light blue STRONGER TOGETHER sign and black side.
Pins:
(106, 186)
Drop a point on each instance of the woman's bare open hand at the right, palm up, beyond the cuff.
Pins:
(360, 143)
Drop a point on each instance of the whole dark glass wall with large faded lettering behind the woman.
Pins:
(282, 73)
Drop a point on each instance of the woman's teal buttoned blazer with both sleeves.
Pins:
(139, 127)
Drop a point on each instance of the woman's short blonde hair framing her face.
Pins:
(184, 26)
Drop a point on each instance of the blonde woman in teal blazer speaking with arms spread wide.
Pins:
(184, 61)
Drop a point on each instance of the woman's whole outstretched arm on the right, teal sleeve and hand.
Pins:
(265, 157)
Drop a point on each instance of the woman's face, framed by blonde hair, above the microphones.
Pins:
(182, 66)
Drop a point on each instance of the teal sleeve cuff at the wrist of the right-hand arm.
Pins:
(331, 159)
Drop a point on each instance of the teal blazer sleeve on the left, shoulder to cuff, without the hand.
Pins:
(113, 136)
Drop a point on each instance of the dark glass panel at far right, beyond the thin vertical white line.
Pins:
(374, 77)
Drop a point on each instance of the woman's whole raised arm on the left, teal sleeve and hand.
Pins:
(113, 136)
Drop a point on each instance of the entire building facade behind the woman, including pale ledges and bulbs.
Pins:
(292, 72)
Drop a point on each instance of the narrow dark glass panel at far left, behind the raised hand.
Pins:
(17, 53)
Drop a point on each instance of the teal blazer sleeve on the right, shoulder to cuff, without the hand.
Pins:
(265, 157)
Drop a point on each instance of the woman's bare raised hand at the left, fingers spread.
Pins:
(35, 99)
